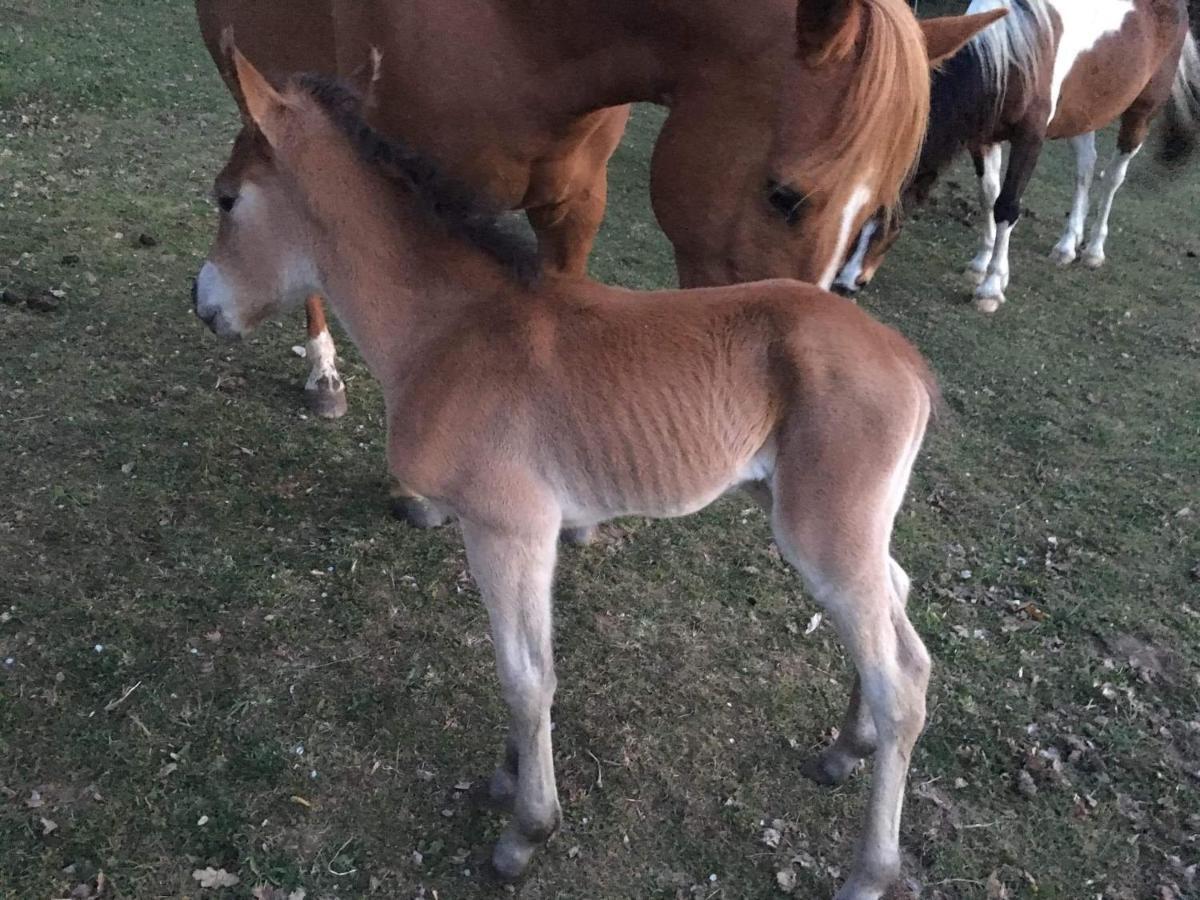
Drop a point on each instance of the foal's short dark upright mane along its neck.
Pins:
(447, 202)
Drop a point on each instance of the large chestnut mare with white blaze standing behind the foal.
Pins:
(791, 121)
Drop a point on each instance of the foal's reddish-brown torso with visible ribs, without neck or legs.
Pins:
(651, 404)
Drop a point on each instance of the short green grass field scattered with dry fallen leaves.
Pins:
(217, 650)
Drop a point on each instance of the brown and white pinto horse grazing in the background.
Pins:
(1053, 69)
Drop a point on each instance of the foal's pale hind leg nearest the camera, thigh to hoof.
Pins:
(836, 527)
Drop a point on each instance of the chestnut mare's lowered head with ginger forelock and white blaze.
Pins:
(775, 181)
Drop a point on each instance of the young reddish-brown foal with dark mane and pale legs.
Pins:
(523, 405)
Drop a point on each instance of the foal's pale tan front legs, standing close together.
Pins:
(514, 567)
